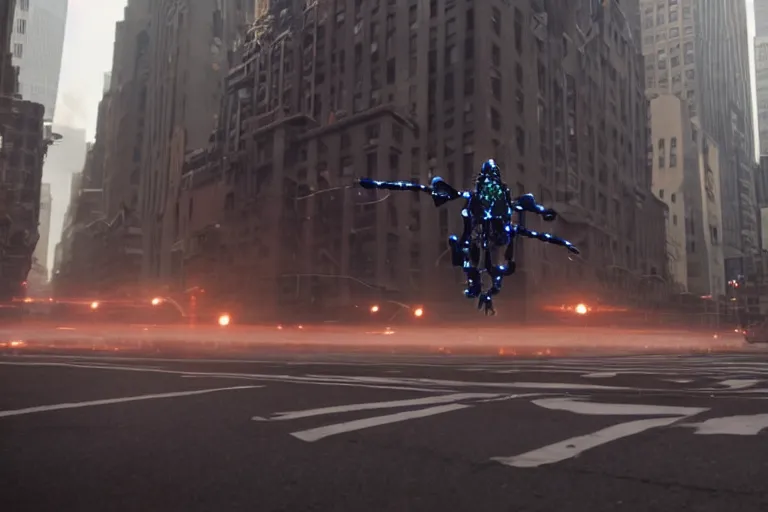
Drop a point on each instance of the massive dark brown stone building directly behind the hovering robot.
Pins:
(326, 91)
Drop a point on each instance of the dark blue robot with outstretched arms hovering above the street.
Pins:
(488, 225)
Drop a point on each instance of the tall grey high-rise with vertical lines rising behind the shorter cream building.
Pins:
(697, 50)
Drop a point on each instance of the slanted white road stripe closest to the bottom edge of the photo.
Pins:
(575, 446)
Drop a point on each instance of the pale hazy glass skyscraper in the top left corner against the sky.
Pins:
(38, 41)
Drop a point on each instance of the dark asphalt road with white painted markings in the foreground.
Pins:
(378, 433)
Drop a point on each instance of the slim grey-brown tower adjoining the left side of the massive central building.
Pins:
(188, 51)
